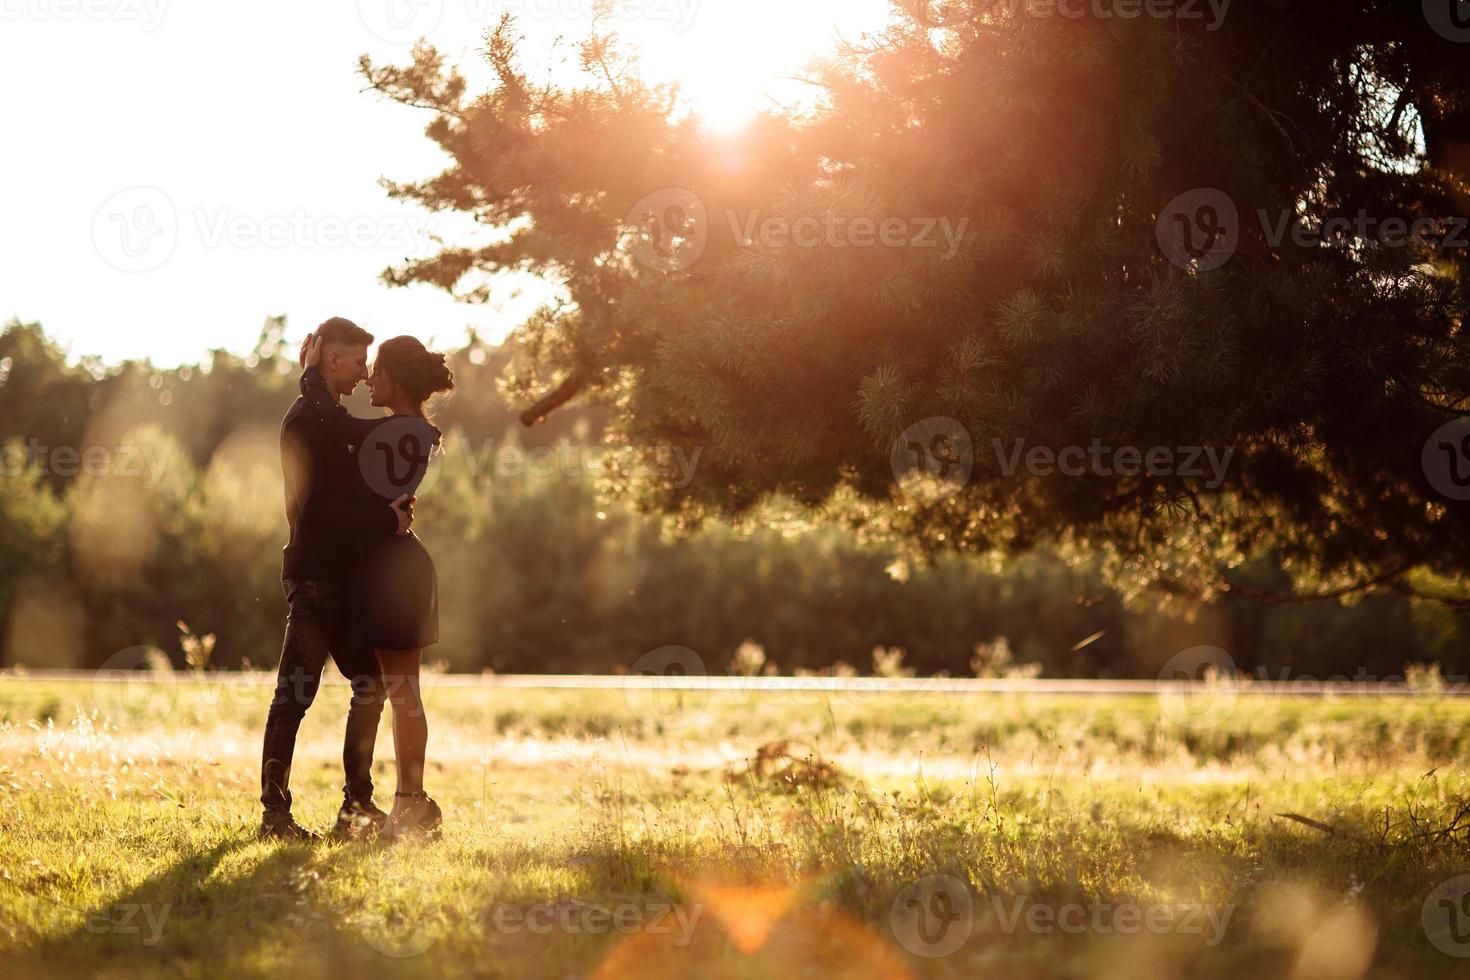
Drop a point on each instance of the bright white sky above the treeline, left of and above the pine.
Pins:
(176, 171)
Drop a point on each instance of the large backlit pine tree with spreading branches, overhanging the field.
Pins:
(1094, 248)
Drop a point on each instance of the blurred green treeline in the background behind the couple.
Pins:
(136, 499)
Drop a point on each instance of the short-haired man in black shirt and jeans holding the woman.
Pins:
(327, 516)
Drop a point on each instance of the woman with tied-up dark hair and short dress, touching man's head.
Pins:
(396, 590)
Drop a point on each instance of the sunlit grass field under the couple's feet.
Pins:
(637, 834)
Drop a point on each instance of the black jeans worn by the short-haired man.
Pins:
(315, 628)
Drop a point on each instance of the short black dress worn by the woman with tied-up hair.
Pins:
(395, 588)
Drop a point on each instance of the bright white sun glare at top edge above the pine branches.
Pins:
(734, 58)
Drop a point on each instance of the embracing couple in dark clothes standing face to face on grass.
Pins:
(359, 584)
